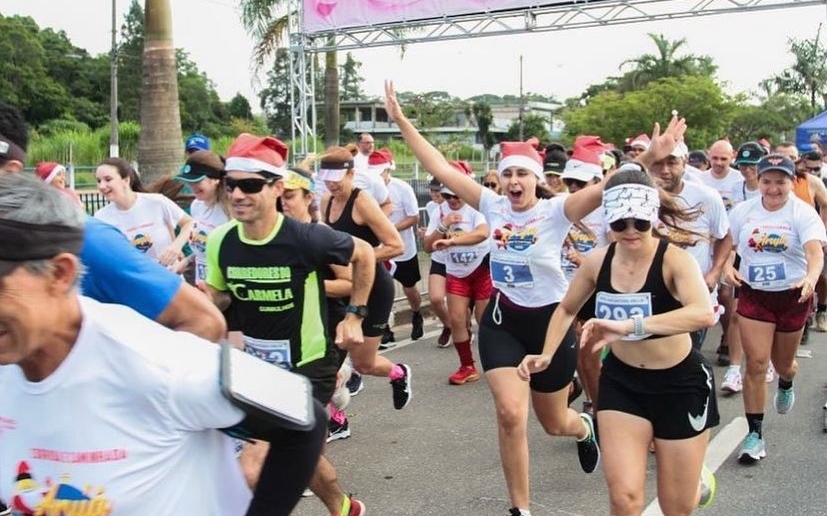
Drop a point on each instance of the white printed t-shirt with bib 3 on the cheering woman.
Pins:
(525, 249)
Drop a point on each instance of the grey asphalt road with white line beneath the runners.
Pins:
(439, 455)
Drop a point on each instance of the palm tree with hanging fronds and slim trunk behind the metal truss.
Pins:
(267, 21)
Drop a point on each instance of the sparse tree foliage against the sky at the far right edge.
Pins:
(808, 74)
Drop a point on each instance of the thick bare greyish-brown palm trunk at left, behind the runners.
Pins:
(161, 146)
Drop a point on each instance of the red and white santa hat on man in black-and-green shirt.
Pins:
(264, 155)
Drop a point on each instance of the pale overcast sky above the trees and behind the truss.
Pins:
(747, 48)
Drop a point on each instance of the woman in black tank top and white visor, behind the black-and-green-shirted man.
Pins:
(348, 209)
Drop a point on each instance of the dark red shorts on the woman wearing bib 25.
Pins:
(781, 308)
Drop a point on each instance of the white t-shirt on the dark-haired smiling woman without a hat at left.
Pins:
(149, 224)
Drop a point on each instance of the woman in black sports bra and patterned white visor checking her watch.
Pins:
(649, 296)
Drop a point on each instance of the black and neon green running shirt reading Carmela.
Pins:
(277, 286)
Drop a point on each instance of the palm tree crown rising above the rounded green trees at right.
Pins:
(665, 63)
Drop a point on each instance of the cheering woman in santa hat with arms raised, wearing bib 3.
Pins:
(527, 238)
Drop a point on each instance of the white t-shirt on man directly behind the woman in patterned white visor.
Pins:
(711, 224)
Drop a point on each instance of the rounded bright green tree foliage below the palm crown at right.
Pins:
(615, 116)
